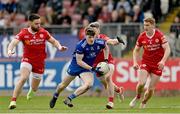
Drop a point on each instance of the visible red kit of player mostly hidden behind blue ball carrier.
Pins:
(100, 56)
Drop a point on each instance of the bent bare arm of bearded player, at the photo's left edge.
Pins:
(11, 46)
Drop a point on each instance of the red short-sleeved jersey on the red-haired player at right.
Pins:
(153, 50)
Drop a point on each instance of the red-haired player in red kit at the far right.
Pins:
(156, 52)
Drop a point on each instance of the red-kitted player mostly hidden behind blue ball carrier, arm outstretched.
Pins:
(107, 79)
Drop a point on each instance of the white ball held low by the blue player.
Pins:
(104, 67)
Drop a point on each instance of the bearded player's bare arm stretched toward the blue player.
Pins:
(57, 44)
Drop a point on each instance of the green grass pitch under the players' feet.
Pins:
(91, 105)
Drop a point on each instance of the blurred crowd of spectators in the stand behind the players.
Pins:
(14, 13)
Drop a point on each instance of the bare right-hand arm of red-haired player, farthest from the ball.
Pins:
(167, 51)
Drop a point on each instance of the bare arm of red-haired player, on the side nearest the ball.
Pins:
(135, 56)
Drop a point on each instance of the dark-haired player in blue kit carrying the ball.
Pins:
(81, 65)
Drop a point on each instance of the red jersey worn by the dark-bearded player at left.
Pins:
(34, 44)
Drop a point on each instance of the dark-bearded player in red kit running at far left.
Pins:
(33, 38)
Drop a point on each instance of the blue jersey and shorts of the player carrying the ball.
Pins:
(89, 51)
